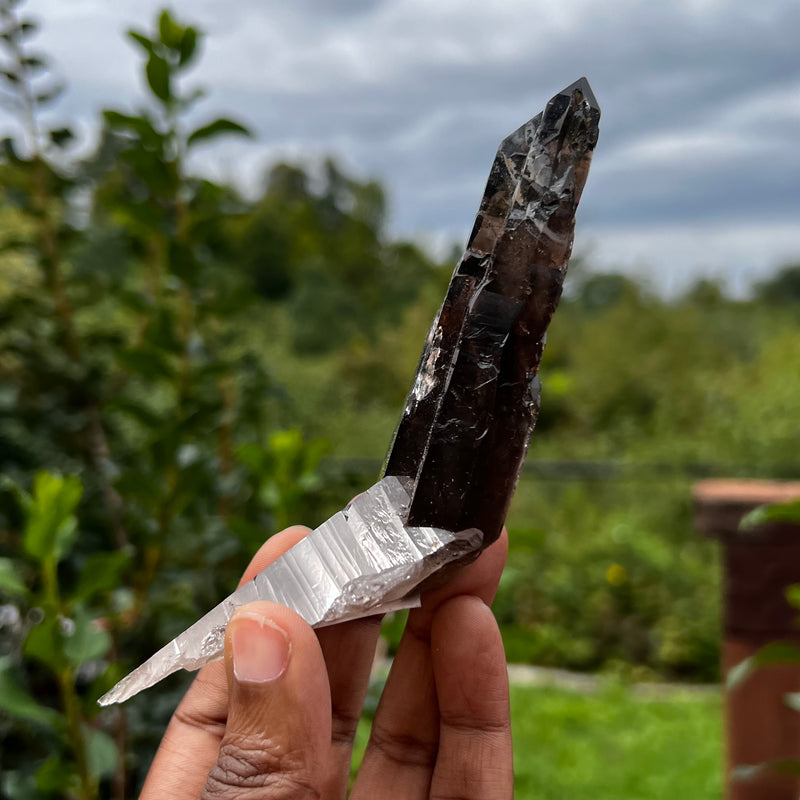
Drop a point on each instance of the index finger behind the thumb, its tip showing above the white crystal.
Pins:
(191, 742)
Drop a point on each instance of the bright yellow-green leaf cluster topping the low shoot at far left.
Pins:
(51, 527)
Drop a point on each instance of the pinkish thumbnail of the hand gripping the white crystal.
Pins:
(260, 649)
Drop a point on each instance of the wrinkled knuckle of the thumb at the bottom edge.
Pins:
(251, 772)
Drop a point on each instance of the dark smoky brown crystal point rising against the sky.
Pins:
(468, 419)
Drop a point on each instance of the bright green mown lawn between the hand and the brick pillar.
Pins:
(612, 746)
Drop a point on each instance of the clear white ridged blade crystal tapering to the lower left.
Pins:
(361, 561)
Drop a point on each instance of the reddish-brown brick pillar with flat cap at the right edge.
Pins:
(757, 567)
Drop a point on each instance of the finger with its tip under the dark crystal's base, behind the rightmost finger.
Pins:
(404, 740)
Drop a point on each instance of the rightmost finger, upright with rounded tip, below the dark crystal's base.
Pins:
(475, 759)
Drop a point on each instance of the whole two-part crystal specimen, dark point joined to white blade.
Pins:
(457, 452)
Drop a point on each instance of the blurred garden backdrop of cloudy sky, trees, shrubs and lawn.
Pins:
(224, 231)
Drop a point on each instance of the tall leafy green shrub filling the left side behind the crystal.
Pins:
(137, 417)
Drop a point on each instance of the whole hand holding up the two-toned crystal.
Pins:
(277, 719)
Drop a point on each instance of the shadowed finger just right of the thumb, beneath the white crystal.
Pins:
(349, 650)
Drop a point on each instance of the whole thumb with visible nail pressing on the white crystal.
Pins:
(277, 739)
